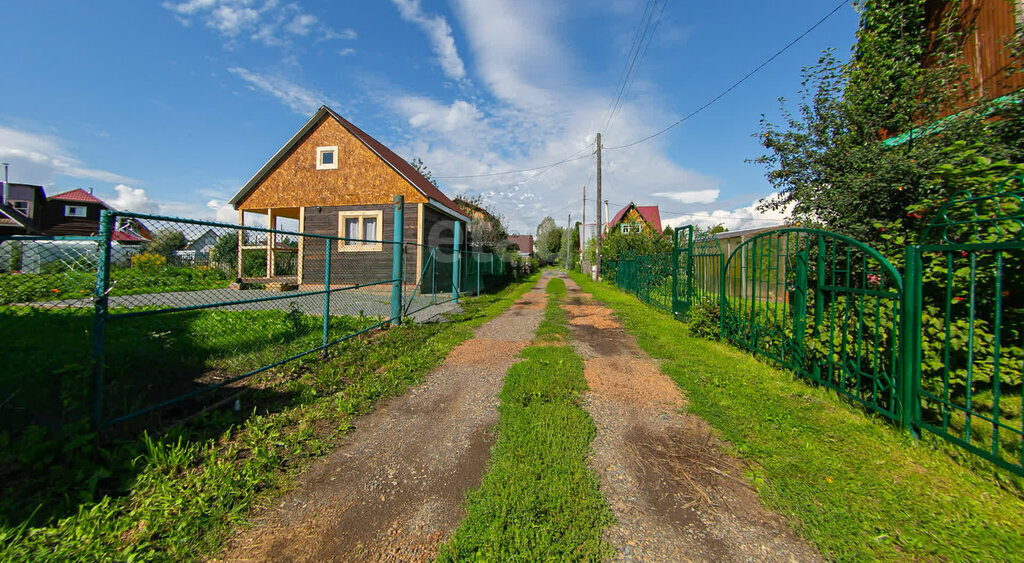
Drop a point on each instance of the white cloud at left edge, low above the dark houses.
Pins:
(40, 159)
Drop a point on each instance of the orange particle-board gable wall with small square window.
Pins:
(362, 178)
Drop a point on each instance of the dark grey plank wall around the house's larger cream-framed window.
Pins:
(355, 268)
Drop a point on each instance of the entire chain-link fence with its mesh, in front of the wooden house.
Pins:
(162, 311)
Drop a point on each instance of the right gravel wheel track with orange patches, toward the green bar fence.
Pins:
(676, 496)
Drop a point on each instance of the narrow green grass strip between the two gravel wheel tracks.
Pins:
(540, 500)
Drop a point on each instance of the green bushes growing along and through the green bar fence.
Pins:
(936, 345)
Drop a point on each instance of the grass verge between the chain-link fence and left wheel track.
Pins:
(188, 489)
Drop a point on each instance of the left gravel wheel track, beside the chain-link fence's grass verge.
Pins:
(396, 490)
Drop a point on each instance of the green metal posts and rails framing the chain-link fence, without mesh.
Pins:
(474, 271)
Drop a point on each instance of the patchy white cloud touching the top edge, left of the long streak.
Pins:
(267, 22)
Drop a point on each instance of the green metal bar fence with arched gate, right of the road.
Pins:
(874, 278)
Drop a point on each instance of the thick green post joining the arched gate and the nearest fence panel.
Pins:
(909, 367)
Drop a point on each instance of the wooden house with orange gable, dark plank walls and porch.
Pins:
(337, 181)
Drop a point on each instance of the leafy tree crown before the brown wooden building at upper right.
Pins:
(827, 160)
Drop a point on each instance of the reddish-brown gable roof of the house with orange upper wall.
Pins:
(421, 184)
